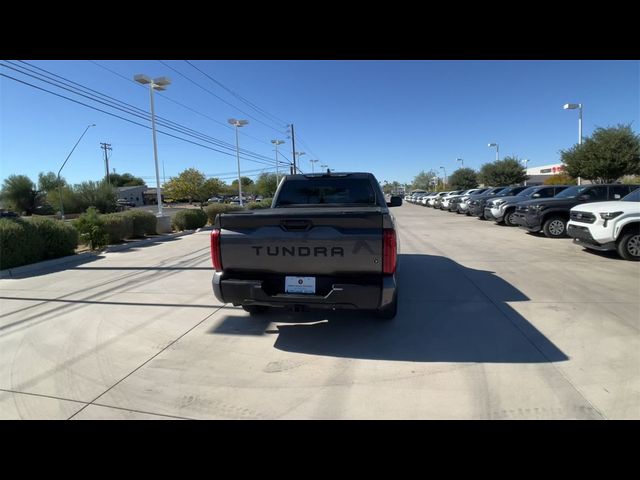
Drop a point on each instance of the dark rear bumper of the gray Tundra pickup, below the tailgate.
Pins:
(340, 296)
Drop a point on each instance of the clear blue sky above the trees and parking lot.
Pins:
(393, 118)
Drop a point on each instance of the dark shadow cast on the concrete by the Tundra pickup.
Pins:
(446, 313)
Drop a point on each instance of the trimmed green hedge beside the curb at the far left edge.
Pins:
(23, 242)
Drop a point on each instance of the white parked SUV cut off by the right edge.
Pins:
(608, 225)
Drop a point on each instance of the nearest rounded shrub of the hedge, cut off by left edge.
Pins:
(19, 243)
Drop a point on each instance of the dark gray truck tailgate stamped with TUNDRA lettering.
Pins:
(298, 241)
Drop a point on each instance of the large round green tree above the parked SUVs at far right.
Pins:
(607, 155)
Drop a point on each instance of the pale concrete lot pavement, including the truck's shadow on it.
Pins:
(493, 323)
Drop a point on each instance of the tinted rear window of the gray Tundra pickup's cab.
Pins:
(326, 191)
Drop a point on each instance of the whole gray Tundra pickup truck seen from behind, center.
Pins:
(328, 241)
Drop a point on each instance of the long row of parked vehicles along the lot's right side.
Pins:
(600, 217)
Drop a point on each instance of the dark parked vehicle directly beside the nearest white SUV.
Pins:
(551, 215)
